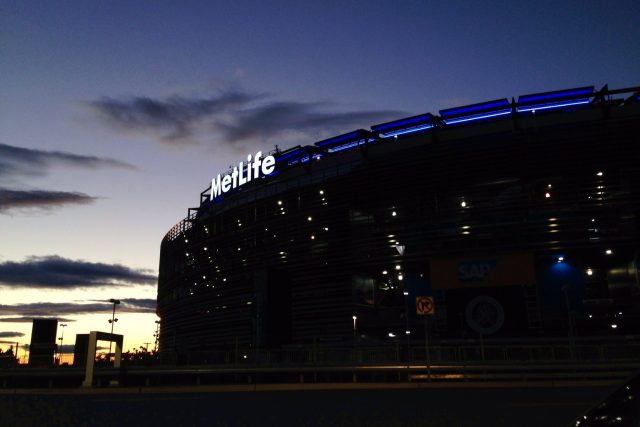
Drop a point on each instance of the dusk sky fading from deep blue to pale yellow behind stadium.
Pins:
(114, 116)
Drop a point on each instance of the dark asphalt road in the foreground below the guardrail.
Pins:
(432, 407)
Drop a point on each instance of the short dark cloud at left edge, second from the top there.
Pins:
(40, 199)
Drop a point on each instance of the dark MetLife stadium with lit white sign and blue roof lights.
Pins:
(520, 218)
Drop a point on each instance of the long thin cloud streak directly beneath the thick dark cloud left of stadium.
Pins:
(49, 309)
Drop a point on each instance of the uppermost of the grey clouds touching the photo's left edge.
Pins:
(19, 161)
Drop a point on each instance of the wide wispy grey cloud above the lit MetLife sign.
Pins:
(233, 117)
